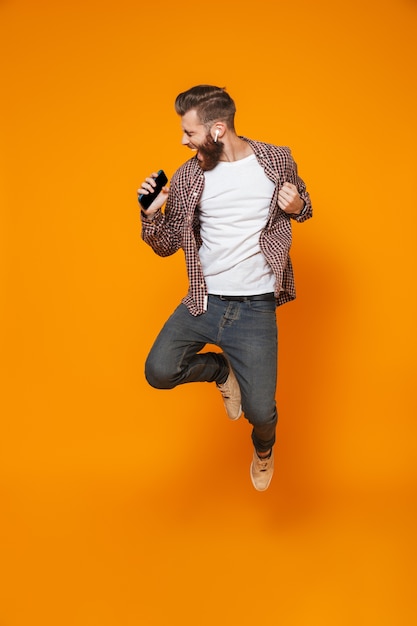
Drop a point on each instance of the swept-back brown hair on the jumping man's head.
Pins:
(211, 103)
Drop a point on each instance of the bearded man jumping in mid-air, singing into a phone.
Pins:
(230, 209)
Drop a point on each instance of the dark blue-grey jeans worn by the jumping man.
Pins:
(247, 334)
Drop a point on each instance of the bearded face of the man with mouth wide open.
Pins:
(196, 137)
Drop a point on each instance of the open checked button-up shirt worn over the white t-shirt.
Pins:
(179, 227)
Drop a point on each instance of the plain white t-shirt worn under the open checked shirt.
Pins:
(234, 209)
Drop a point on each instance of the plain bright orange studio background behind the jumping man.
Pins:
(123, 505)
